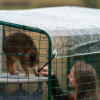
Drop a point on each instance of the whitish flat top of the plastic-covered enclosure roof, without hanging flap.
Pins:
(54, 18)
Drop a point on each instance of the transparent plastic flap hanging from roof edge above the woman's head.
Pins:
(84, 42)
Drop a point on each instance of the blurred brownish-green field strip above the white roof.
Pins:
(26, 4)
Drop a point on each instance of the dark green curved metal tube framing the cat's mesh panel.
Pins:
(33, 29)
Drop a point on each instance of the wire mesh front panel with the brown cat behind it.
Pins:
(21, 83)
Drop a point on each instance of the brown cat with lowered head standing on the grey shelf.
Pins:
(20, 46)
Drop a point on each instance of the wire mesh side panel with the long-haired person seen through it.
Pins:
(76, 76)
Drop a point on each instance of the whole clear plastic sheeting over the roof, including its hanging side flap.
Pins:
(73, 30)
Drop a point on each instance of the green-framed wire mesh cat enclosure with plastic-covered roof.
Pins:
(71, 33)
